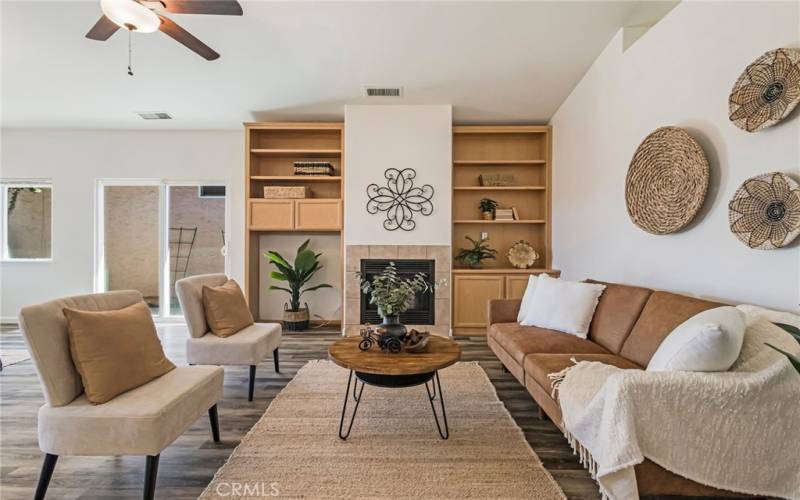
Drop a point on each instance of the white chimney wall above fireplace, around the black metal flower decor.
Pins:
(382, 137)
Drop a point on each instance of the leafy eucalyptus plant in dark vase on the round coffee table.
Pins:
(393, 295)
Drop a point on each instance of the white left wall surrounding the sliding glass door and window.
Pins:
(74, 160)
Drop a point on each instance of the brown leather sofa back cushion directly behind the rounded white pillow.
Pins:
(663, 312)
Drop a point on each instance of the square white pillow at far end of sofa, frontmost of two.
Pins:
(565, 306)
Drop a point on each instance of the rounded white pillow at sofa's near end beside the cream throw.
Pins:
(709, 341)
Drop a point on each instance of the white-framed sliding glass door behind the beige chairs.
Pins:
(151, 233)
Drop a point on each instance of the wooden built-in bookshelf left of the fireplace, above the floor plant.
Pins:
(271, 150)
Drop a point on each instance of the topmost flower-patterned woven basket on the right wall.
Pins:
(767, 91)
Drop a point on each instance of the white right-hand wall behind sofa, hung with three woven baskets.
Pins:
(679, 73)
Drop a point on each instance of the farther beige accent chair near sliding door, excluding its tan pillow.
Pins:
(246, 347)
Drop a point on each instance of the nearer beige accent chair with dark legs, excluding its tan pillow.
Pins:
(142, 421)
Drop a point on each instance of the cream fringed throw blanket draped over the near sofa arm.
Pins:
(737, 430)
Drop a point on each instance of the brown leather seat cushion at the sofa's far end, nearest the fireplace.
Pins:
(519, 341)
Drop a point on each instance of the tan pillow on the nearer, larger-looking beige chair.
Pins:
(115, 351)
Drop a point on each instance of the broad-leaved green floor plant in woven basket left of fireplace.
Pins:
(306, 265)
